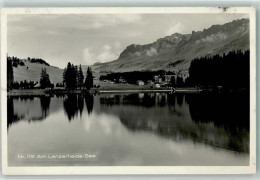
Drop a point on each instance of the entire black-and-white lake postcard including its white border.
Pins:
(128, 87)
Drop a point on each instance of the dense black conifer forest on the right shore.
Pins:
(228, 70)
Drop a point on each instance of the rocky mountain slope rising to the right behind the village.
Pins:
(176, 51)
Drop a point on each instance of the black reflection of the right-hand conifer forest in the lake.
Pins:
(230, 110)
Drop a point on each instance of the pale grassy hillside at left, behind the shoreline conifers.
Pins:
(33, 73)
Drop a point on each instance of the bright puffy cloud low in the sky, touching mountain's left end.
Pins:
(105, 54)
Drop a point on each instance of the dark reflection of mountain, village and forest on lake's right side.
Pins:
(192, 120)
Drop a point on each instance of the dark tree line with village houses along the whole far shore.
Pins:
(227, 72)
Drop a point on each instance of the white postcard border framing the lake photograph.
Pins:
(69, 170)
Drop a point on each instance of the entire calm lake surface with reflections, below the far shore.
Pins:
(142, 129)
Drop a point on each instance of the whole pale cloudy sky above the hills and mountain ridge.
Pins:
(90, 38)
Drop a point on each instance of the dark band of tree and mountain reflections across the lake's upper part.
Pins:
(220, 121)
